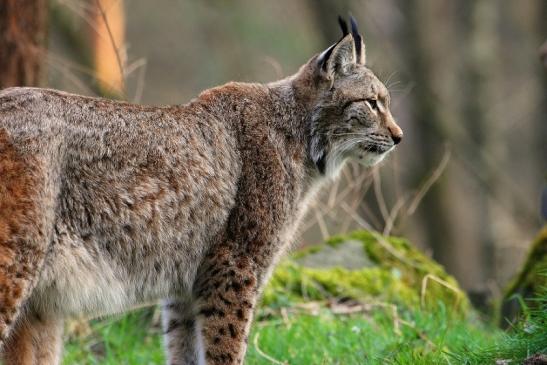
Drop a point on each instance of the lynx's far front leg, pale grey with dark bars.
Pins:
(182, 335)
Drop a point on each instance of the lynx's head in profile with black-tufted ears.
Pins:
(349, 114)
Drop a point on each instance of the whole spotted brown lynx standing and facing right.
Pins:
(107, 205)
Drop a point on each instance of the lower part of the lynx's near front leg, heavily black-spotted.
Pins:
(227, 295)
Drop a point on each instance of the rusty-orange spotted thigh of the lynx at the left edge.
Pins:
(26, 218)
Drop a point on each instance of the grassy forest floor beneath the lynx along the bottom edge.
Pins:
(319, 333)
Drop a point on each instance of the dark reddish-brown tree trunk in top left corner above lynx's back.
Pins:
(23, 34)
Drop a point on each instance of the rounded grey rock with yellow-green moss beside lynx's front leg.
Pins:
(365, 266)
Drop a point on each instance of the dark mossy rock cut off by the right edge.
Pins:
(529, 282)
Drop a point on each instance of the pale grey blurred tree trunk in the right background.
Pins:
(479, 21)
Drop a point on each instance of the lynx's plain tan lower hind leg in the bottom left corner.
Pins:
(34, 341)
